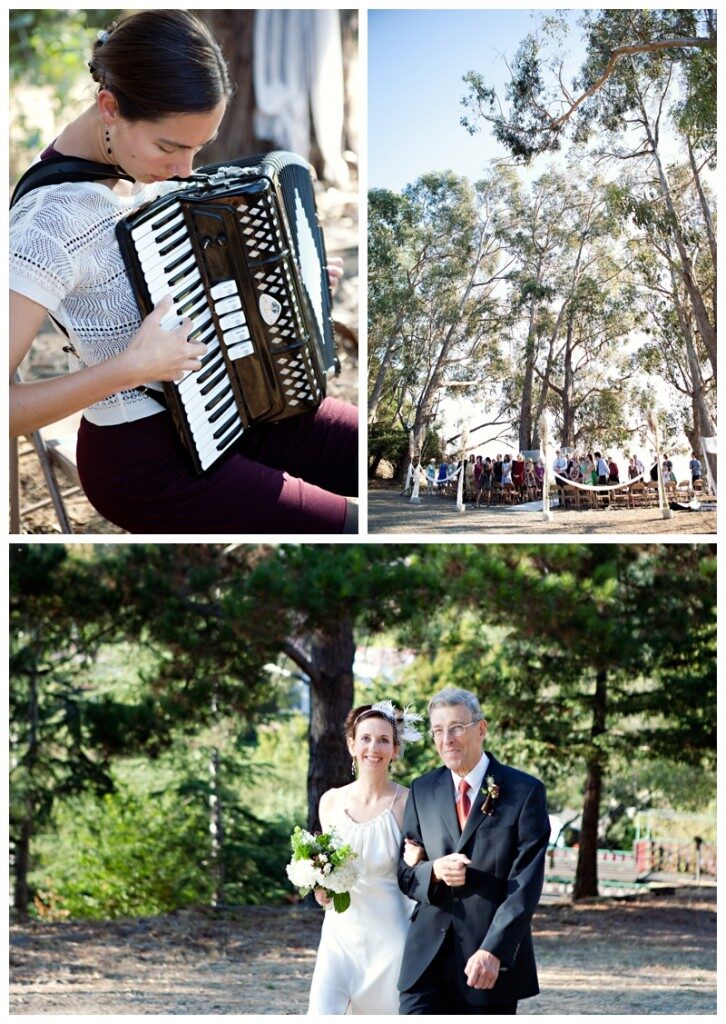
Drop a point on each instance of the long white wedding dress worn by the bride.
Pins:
(361, 951)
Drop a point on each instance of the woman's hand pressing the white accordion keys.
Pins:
(158, 355)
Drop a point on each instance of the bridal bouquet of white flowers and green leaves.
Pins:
(323, 862)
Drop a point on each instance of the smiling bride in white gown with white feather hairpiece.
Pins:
(361, 951)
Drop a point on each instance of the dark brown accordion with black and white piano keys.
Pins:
(241, 251)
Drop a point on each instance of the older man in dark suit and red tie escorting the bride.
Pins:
(483, 830)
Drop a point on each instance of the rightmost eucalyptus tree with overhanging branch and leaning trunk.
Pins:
(642, 68)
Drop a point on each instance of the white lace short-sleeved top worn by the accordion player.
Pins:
(65, 257)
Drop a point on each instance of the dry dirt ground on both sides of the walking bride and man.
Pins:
(656, 955)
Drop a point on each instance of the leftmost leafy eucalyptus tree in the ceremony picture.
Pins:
(437, 264)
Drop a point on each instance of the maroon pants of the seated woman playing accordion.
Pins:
(286, 478)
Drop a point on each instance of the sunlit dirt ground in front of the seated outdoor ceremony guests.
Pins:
(389, 513)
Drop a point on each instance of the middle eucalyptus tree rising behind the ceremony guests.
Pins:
(572, 303)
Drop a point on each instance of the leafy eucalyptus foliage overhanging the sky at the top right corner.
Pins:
(529, 124)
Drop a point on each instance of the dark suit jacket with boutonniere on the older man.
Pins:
(493, 911)
